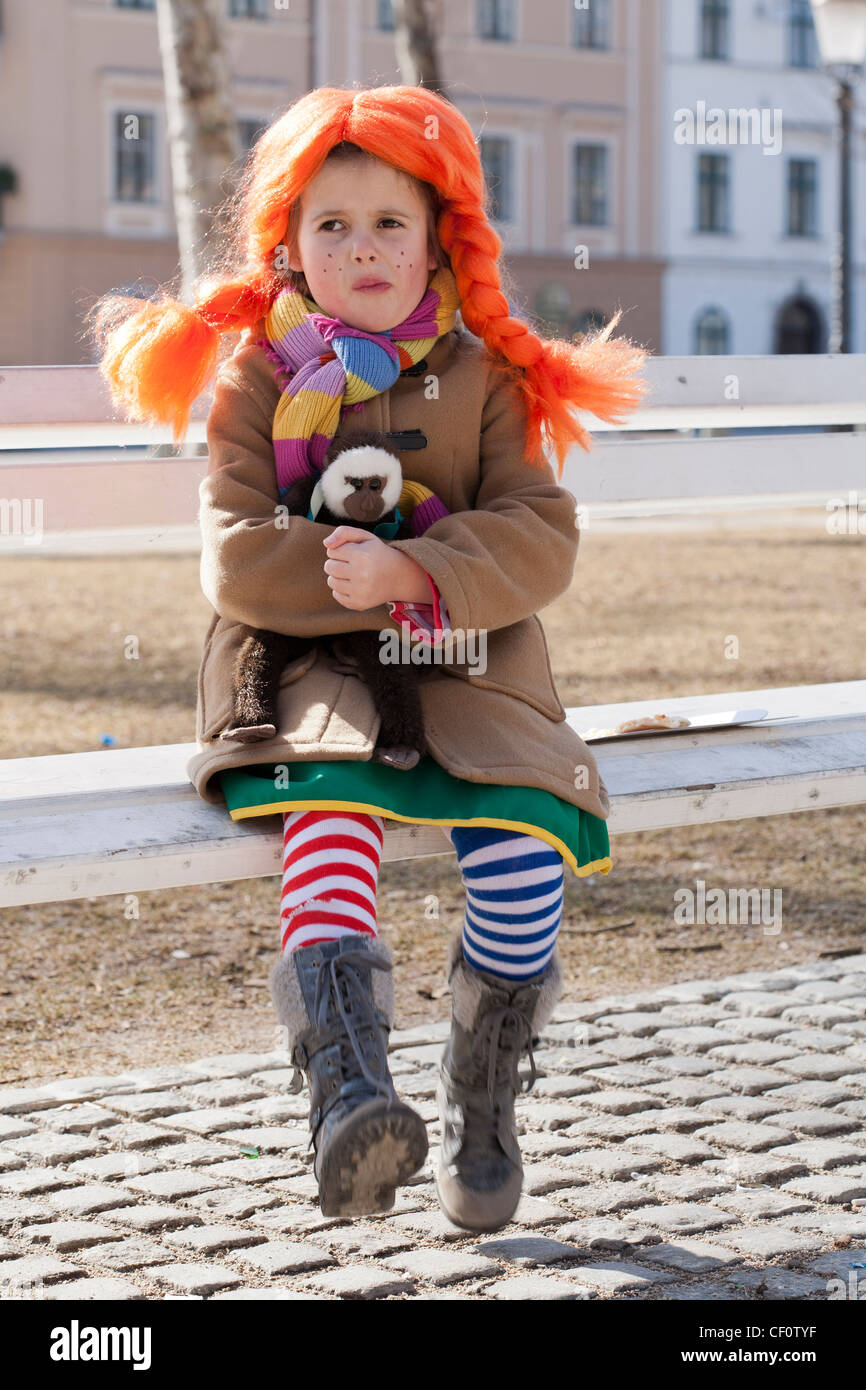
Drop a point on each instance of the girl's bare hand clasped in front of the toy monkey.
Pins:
(365, 572)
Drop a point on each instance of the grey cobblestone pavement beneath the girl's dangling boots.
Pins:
(700, 1142)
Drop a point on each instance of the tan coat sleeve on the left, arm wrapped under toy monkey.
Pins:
(259, 566)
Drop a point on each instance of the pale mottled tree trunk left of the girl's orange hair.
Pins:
(202, 129)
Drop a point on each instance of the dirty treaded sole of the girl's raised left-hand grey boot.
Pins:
(369, 1156)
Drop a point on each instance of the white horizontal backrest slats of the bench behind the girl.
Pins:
(629, 472)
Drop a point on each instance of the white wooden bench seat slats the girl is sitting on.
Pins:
(129, 821)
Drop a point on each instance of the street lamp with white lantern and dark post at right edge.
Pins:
(842, 37)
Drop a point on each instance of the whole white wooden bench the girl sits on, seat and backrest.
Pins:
(129, 821)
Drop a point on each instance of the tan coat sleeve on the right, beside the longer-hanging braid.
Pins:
(515, 553)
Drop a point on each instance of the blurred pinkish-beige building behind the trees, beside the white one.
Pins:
(564, 98)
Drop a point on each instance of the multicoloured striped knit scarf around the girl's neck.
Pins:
(333, 366)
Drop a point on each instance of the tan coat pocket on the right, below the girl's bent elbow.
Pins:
(515, 661)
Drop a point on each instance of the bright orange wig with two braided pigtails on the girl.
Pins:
(159, 355)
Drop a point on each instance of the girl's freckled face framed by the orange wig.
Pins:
(363, 222)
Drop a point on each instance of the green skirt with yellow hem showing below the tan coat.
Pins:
(425, 796)
